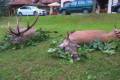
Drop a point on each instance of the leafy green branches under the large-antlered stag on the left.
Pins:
(39, 37)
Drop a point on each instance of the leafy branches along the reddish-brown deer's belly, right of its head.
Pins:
(110, 47)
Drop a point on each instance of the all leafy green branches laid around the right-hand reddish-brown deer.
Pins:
(109, 48)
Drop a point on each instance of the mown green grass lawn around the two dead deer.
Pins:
(34, 63)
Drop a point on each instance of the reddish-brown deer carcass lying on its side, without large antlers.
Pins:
(74, 39)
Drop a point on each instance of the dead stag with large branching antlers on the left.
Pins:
(19, 35)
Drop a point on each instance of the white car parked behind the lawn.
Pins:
(30, 10)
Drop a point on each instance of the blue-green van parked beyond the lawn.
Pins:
(77, 6)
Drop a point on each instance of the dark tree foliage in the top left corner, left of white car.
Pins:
(3, 7)
